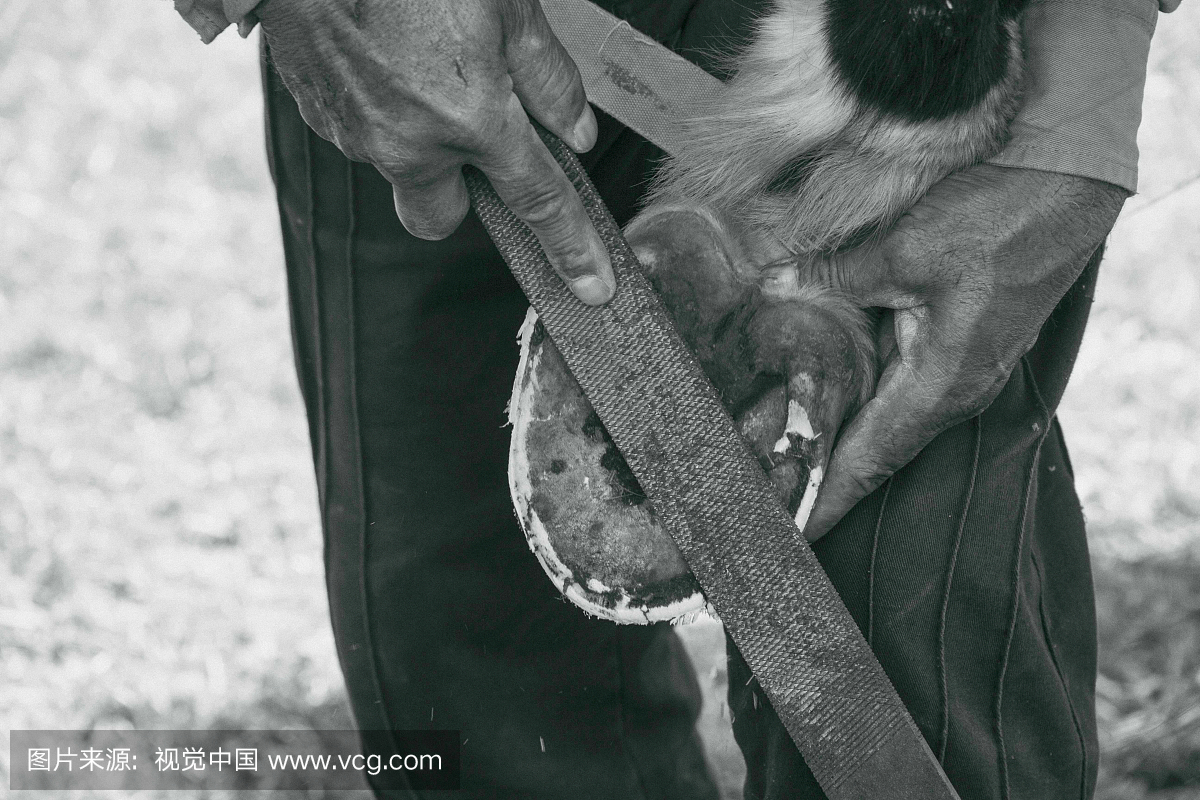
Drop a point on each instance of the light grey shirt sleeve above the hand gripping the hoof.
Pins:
(1085, 75)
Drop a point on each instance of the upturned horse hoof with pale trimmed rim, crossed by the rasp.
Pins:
(784, 365)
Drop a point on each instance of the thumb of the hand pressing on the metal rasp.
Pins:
(545, 79)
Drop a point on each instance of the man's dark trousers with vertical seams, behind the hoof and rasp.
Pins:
(969, 572)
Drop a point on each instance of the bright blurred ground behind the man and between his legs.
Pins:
(160, 552)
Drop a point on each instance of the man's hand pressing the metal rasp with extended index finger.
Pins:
(421, 88)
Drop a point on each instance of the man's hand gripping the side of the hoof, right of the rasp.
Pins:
(970, 274)
